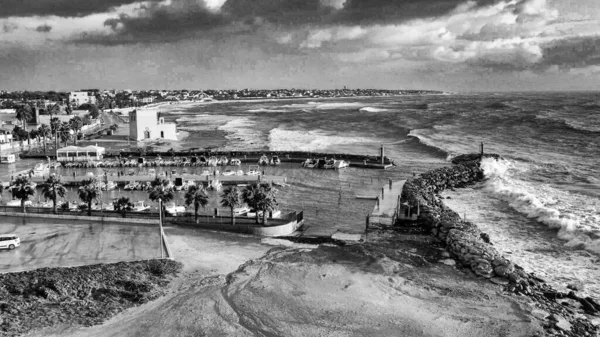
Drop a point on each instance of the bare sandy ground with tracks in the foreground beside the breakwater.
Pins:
(236, 285)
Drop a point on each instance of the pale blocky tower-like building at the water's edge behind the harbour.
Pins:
(145, 124)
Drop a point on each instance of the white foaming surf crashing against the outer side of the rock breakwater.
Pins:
(574, 216)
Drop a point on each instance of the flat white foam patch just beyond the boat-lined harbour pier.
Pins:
(313, 140)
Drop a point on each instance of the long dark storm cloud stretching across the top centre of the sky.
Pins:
(186, 18)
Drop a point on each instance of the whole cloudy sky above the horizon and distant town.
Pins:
(451, 45)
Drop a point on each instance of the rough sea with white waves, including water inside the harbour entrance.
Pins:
(541, 202)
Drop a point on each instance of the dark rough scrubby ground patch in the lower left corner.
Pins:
(85, 296)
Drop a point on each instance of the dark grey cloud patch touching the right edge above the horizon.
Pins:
(573, 53)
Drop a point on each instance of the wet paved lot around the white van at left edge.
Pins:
(59, 243)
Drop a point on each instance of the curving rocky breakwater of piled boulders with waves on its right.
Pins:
(564, 314)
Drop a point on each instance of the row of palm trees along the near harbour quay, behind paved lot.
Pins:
(261, 197)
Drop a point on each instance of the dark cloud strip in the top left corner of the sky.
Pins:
(63, 8)
